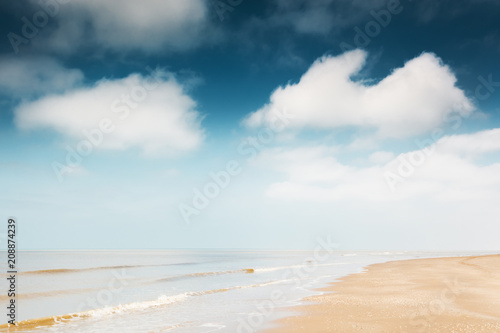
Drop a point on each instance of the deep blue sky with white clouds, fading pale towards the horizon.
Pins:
(167, 124)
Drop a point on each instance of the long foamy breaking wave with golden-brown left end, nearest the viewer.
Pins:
(163, 300)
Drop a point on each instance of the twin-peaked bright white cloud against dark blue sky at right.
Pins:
(411, 100)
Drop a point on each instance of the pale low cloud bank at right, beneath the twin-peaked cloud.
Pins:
(440, 172)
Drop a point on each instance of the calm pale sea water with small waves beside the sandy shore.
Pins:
(176, 290)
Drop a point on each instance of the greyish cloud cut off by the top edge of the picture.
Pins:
(131, 25)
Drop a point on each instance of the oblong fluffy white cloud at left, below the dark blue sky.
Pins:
(153, 113)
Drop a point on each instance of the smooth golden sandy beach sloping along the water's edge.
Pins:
(459, 294)
